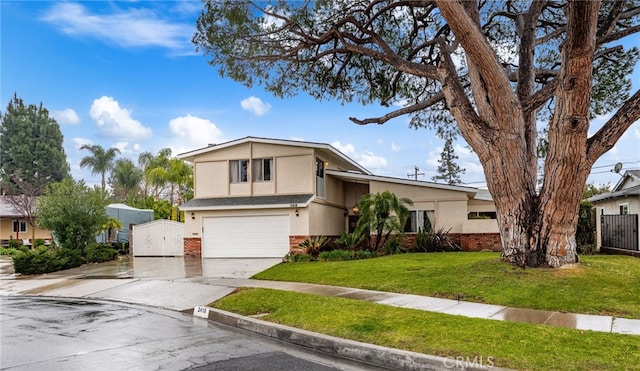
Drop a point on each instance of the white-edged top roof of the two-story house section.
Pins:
(321, 147)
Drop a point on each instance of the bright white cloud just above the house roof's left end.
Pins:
(194, 132)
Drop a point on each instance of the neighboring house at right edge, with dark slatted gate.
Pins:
(617, 214)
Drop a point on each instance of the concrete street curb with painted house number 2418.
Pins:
(376, 355)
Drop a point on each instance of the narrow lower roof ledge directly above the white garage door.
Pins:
(250, 202)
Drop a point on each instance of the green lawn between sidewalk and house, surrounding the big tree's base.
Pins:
(600, 284)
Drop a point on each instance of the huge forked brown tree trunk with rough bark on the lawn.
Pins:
(537, 228)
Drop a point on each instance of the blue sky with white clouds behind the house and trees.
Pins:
(125, 75)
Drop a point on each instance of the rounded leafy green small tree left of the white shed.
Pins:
(74, 212)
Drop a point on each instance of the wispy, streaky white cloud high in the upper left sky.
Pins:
(126, 28)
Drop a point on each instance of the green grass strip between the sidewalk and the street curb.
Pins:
(506, 344)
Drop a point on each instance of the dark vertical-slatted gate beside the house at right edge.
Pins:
(620, 231)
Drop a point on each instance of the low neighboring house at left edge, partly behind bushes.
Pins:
(14, 225)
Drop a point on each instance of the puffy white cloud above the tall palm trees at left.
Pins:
(116, 122)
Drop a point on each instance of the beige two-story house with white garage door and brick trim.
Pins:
(257, 197)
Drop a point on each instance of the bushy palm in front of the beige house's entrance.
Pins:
(383, 213)
